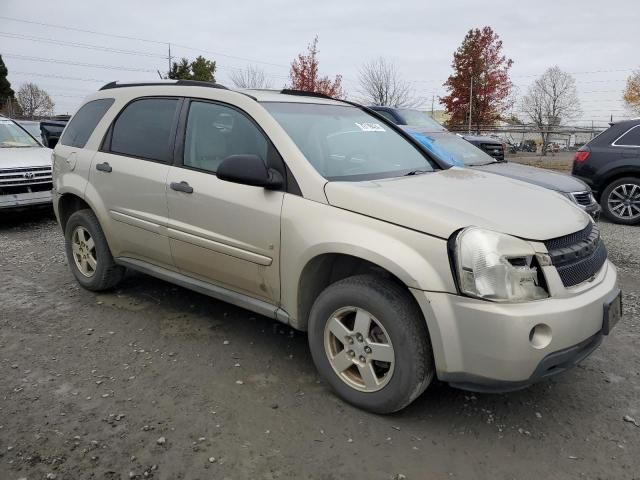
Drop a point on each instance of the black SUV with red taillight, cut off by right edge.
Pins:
(610, 165)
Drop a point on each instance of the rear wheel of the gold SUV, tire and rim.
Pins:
(93, 264)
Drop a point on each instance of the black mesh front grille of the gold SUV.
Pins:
(578, 256)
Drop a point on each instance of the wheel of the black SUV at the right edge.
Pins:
(613, 194)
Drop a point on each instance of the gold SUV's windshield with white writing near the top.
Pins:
(345, 143)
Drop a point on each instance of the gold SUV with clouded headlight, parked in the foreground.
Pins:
(325, 216)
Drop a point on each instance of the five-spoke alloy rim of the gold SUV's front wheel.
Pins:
(359, 349)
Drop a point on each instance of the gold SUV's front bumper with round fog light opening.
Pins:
(486, 346)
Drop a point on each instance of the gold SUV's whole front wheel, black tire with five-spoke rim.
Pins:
(395, 319)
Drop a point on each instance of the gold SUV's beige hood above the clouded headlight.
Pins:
(442, 202)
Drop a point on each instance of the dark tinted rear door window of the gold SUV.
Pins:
(143, 129)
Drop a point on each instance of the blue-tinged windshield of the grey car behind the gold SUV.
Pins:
(451, 149)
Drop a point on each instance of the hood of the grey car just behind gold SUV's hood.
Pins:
(538, 176)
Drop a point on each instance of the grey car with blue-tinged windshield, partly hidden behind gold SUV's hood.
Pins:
(450, 148)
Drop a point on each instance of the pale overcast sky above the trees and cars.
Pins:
(596, 41)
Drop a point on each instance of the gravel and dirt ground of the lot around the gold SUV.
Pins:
(154, 381)
